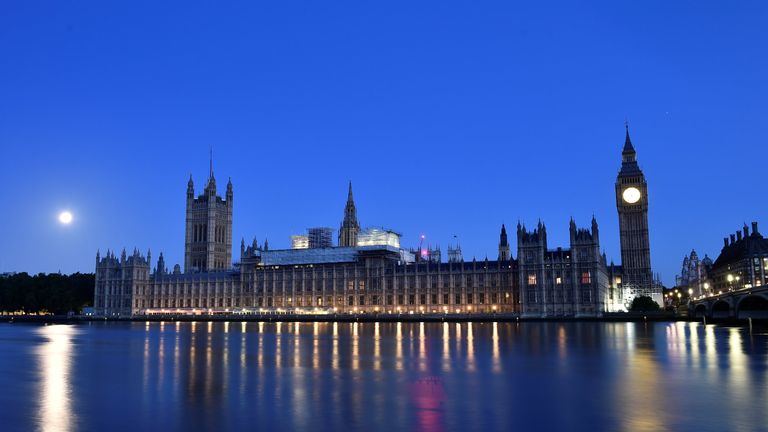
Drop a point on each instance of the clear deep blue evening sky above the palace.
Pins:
(449, 117)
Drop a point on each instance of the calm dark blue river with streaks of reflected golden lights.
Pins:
(367, 376)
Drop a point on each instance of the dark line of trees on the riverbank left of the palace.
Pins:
(46, 293)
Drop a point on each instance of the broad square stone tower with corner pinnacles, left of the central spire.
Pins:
(208, 239)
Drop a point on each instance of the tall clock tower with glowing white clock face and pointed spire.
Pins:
(632, 205)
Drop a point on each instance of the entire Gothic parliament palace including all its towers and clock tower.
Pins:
(368, 272)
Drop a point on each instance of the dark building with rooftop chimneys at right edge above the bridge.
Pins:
(742, 263)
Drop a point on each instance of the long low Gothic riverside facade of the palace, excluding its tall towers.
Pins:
(566, 282)
